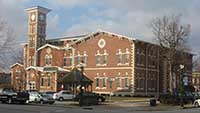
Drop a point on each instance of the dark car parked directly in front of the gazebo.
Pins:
(89, 98)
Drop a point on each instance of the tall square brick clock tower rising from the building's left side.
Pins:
(36, 32)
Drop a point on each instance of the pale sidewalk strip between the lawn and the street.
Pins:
(127, 105)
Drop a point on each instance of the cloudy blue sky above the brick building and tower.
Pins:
(125, 17)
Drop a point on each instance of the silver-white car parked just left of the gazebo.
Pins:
(63, 95)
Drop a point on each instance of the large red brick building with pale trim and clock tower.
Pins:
(114, 63)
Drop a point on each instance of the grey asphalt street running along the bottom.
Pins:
(37, 108)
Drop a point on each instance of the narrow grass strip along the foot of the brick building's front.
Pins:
(116, 98)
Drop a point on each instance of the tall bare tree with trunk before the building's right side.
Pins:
(172, 36)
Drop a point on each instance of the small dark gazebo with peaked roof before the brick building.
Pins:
(77, 79)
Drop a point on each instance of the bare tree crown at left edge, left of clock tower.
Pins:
(6, 44)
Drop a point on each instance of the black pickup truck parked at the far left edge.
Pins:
(8, 95)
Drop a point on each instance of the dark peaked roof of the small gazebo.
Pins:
(76, 76)
